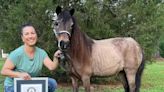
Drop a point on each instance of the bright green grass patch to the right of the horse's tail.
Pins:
(153, 78)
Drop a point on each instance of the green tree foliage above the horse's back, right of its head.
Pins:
(139, 19)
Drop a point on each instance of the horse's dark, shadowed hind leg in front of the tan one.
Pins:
(124, 81)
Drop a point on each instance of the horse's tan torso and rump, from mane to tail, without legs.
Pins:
(112, 55)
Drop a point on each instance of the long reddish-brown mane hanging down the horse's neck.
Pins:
(81, 44)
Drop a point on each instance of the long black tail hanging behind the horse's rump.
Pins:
(139, 74)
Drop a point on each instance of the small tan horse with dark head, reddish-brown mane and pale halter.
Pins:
(88, 57)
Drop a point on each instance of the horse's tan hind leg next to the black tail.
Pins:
(131, 74)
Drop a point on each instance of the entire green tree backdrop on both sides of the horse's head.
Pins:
(139, 19)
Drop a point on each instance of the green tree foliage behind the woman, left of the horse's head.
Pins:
(22, 12)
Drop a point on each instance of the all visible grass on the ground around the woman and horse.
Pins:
(152, 81)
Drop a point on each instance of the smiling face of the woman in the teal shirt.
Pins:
(29, 36)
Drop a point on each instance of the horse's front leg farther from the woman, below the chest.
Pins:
(86, 83)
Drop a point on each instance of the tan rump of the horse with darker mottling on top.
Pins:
(130, 51)
